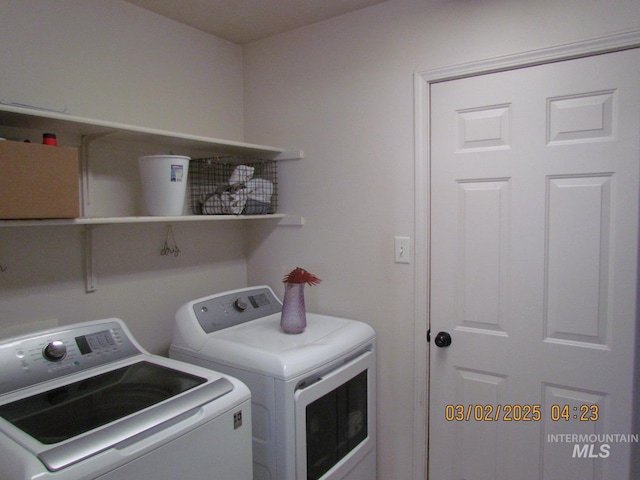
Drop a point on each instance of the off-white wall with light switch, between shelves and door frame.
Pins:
(343, 91)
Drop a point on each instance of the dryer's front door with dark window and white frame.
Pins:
(335, 420)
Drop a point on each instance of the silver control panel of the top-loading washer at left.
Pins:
(30, 359)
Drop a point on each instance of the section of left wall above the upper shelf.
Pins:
(110, 60)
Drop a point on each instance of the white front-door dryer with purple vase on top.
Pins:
(313, 394)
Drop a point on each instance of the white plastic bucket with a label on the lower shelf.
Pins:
(164, 183)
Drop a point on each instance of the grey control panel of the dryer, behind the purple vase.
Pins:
(233, 308)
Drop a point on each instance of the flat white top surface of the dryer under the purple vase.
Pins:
(261, 346)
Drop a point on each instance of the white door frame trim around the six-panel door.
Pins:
(422, 161)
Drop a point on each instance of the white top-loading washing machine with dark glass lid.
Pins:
(85, 402)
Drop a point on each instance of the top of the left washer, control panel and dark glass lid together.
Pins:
(72, 392)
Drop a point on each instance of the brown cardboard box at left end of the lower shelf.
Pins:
(38, 181)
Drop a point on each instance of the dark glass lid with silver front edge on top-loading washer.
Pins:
(69, 423)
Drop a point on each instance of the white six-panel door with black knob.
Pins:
(534, 243)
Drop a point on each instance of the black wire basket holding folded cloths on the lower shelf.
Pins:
(233, 186)
